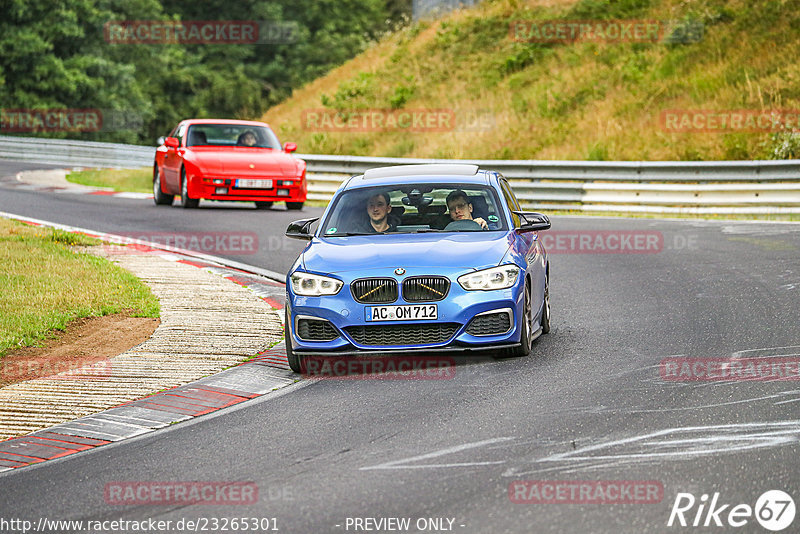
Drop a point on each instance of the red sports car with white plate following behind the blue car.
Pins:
(227, 160)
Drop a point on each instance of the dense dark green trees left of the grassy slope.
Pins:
(55, 55)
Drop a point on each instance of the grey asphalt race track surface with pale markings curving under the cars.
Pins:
(590, 404)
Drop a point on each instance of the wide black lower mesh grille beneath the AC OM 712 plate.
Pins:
(402, 334)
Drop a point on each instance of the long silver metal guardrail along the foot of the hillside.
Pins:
(660, 186)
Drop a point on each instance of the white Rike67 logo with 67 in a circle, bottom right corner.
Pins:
(774, 510)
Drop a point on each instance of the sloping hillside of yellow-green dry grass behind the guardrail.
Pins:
(568, 100)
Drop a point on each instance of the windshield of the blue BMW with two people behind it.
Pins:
(415, 208)
